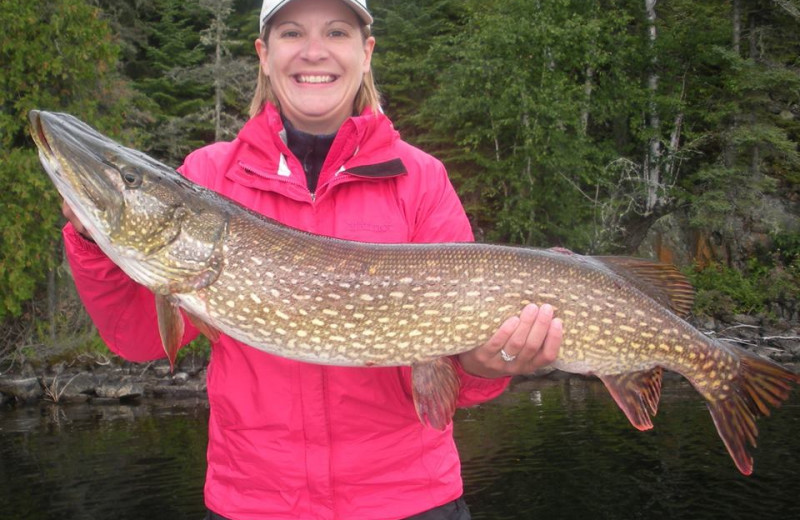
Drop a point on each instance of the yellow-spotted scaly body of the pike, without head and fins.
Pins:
(396, 305)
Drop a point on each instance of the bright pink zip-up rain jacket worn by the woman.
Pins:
(291, 440)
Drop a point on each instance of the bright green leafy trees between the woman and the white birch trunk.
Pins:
(522, 84)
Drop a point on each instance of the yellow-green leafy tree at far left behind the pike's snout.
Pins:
(55, 55)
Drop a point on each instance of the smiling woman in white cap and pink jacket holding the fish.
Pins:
(295, 440)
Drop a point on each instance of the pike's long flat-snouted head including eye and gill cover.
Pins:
(141, 212)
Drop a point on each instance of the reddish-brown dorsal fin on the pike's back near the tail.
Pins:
(662, 282)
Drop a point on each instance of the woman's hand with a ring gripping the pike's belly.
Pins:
(521, 345)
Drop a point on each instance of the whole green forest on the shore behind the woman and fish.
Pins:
(665, 129)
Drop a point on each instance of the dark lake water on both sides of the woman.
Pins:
(545, 449)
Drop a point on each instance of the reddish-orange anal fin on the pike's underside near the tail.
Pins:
(637, 394)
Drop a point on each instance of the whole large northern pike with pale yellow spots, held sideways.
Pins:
(328, 301)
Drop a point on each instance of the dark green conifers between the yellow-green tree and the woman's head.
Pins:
(169, 49)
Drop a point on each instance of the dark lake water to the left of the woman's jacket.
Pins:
(98, 462)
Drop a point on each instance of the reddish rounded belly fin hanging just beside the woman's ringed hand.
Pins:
(435, 391)
